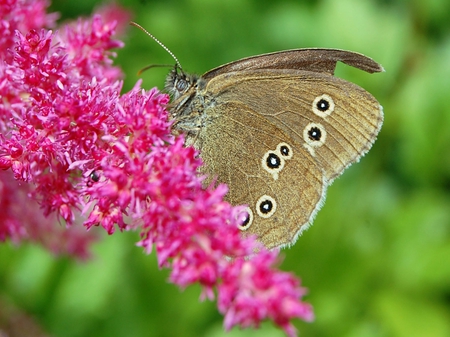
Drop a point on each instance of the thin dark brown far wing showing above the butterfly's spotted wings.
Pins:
(316, 60)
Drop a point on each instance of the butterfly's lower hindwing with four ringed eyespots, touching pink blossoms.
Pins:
(279, 181)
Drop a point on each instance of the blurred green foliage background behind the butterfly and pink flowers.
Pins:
(376, 260)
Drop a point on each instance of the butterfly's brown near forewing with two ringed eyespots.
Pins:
(335, 120)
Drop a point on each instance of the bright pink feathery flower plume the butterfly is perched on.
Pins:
(91, 152)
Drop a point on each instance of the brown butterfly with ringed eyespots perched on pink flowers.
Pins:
(277, 128)
